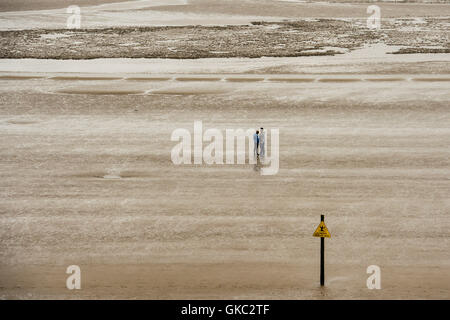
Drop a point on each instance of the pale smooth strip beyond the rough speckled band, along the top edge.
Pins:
(203, 12)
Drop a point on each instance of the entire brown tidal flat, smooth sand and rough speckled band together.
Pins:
(85, 148)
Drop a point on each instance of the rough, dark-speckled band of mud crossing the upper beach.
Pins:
(319, 37)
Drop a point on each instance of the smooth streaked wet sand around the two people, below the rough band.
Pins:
(88, 180)
